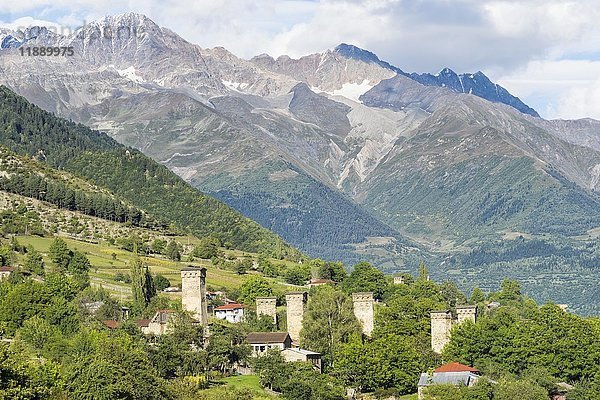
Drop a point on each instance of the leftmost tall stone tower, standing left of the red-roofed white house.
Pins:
(193, 293)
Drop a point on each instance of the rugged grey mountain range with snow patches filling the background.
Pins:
(341, 153)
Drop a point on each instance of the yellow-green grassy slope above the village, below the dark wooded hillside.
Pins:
(92, 237)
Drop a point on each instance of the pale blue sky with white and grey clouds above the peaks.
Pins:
(547, 52)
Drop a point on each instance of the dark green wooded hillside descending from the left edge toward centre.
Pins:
(126, 172)
